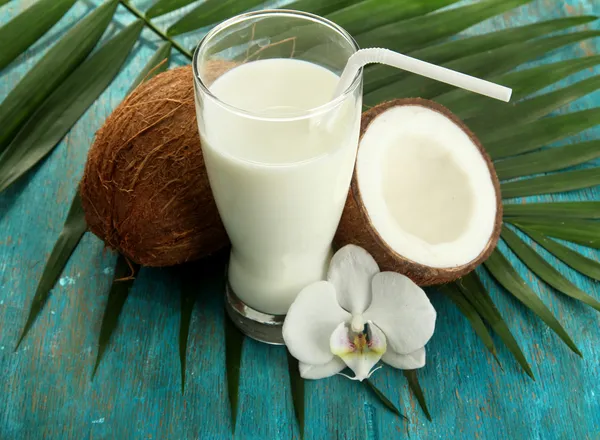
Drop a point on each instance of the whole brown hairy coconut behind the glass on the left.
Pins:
(145, 191)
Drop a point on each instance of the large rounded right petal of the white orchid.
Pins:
(402, 311)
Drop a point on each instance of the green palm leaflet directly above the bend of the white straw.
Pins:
(413, 34)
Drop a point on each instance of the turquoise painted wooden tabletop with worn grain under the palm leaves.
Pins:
(46, 389)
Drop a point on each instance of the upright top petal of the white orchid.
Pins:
(351, 270)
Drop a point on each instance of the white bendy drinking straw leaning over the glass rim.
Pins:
(385, 56)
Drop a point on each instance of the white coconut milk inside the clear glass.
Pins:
(279, 173)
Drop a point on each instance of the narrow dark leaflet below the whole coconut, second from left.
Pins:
(119, 291)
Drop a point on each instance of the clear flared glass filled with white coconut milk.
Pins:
(279, 153)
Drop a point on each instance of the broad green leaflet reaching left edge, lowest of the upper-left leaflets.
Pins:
(57, 114)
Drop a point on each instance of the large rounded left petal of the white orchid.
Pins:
(312, 317)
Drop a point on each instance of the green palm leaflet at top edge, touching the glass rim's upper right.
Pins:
(371, 14)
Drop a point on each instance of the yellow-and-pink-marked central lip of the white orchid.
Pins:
(359, 351)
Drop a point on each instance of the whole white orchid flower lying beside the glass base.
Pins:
(357, 317)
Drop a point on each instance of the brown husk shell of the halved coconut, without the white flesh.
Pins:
(356, 227)
